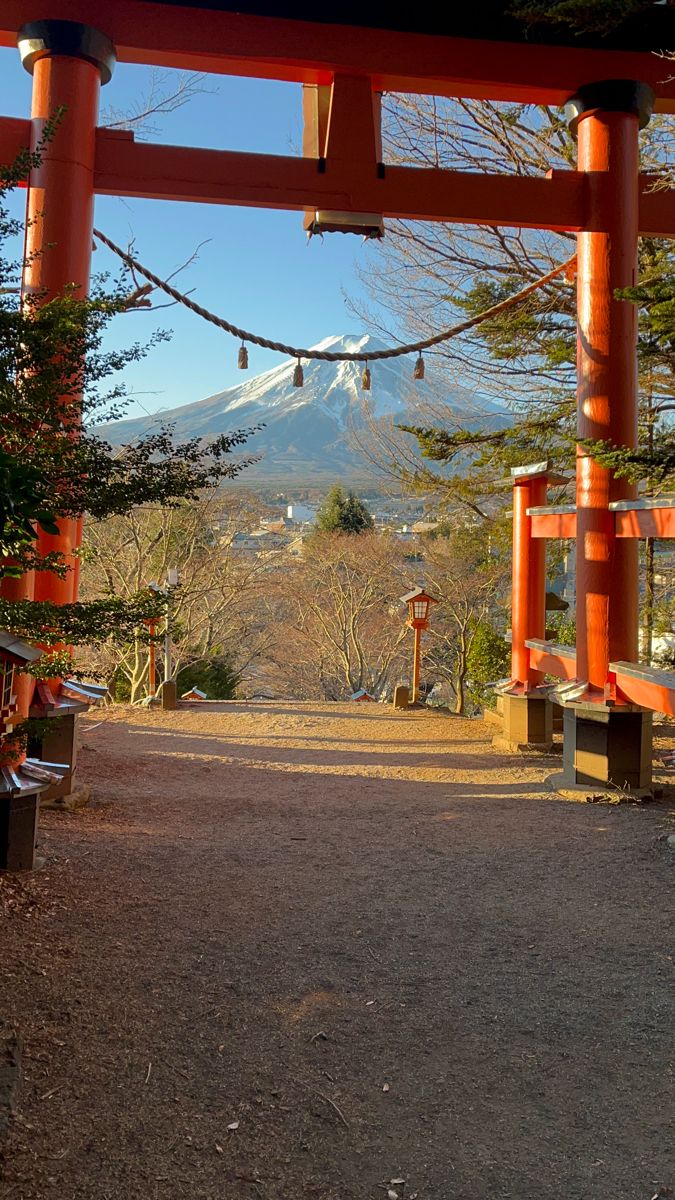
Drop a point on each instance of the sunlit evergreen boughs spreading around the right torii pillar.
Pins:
(480, 459)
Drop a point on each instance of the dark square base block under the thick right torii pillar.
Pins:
(607, 747)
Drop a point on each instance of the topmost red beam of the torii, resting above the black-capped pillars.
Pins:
(307, 52)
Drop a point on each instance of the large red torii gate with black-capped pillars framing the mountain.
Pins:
(345, 68)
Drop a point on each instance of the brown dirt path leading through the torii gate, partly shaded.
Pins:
(298, 952)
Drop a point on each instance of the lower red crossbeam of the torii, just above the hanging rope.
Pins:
(224, 177)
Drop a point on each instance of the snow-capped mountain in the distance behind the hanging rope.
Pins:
(313, 433)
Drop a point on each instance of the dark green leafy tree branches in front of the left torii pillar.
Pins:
(57, 383)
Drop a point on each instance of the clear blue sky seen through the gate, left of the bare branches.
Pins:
(258, 268)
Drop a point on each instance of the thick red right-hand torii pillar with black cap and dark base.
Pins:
(602, 742)
